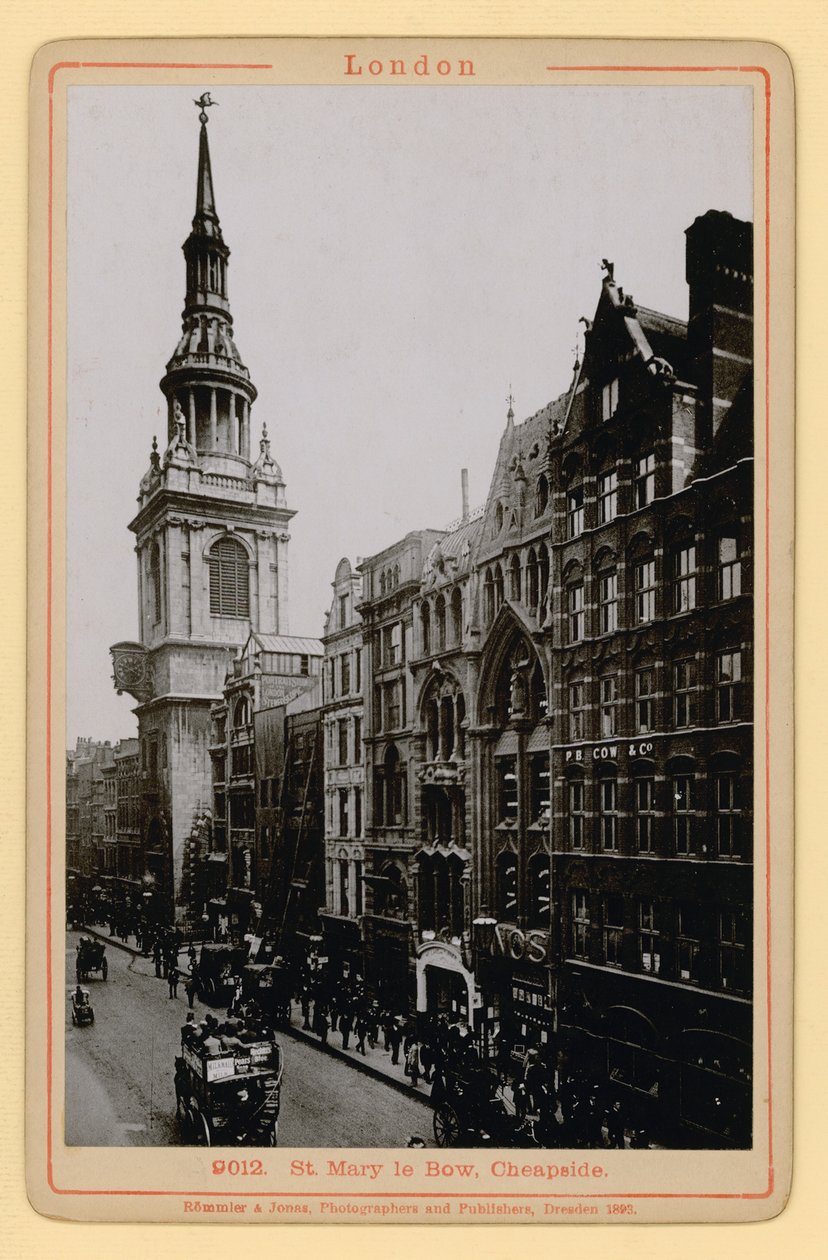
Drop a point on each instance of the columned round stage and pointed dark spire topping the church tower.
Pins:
(206, 377)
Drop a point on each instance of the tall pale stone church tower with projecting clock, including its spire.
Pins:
(212, 550)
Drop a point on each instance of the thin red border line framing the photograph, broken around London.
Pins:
(209, 1194)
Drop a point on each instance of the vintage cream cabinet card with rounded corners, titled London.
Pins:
(410, 735)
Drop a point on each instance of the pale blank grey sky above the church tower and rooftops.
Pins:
(401, 259)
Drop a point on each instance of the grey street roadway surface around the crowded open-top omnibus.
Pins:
(119, 1074)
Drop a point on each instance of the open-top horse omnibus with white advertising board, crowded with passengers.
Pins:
(231, 1098)
